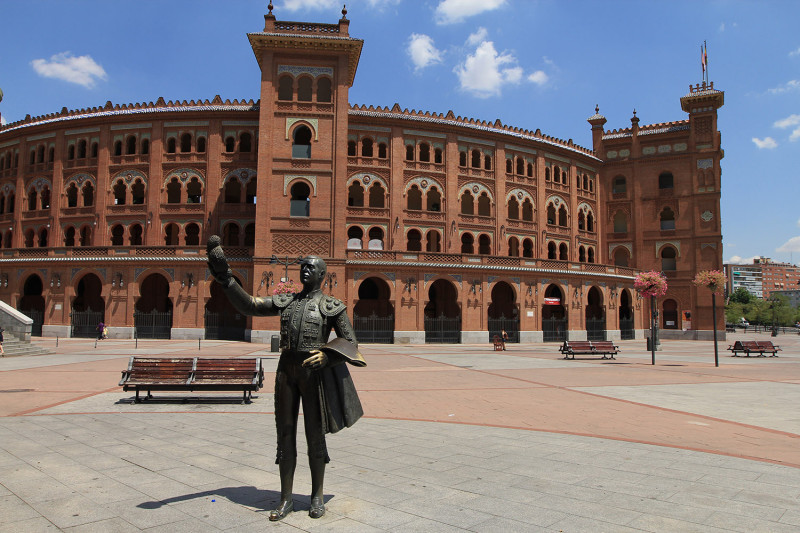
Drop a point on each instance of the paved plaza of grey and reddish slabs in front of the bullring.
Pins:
(454, 438)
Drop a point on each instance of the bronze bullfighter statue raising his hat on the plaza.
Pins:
(310, 370)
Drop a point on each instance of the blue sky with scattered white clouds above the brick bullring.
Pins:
(530, 63)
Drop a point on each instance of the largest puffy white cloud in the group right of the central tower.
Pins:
(485, 72)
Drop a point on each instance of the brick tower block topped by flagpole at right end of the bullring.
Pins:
(661, 196)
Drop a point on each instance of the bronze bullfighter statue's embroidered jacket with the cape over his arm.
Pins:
(306, 324)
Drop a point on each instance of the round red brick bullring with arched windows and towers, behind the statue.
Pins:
(435, 227)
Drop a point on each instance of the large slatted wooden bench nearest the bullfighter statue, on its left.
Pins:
(193, 374)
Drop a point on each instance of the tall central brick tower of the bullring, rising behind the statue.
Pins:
(306, 72)
